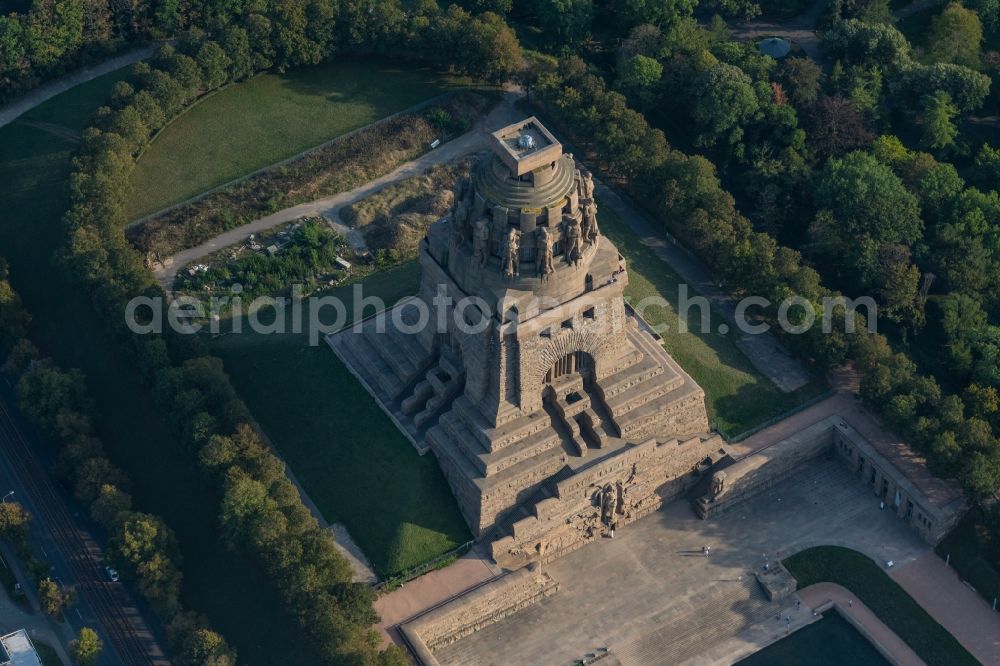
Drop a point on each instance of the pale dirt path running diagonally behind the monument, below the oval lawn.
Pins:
(329, 207)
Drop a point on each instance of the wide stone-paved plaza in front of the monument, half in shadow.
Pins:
(650, 596)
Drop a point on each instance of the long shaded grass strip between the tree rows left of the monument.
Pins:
(224, 585)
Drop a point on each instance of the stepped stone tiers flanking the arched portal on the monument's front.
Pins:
(581, 418)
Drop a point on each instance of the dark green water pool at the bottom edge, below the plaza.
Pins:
(830, 642)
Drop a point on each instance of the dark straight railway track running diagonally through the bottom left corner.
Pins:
(91, 580)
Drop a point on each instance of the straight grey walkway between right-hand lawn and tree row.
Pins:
(764, 351)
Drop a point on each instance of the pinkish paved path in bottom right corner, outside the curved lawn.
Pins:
(957, 607)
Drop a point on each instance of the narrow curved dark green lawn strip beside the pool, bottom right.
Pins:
(883, 596)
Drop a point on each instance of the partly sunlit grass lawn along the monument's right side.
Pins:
(737, 395)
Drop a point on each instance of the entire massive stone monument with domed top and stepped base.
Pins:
(554, 405)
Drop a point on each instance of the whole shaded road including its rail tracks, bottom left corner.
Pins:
(74, 553)
